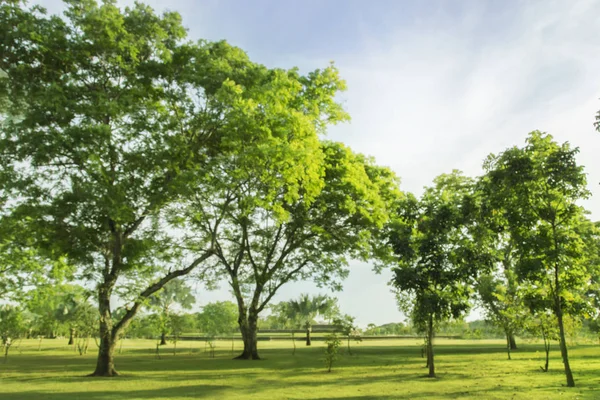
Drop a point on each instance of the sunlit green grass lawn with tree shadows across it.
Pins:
(386, 369)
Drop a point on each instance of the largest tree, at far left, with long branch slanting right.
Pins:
(112, 116)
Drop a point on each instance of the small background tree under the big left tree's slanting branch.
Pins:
(174, 293)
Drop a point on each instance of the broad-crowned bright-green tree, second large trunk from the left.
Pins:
(269, 230)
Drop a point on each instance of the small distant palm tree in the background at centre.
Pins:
(307, 308)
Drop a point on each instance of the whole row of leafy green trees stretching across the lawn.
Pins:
(133, 156)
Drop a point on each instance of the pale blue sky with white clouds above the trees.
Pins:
(432, 86)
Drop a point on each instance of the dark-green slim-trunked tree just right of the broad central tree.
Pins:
(439, 254)
